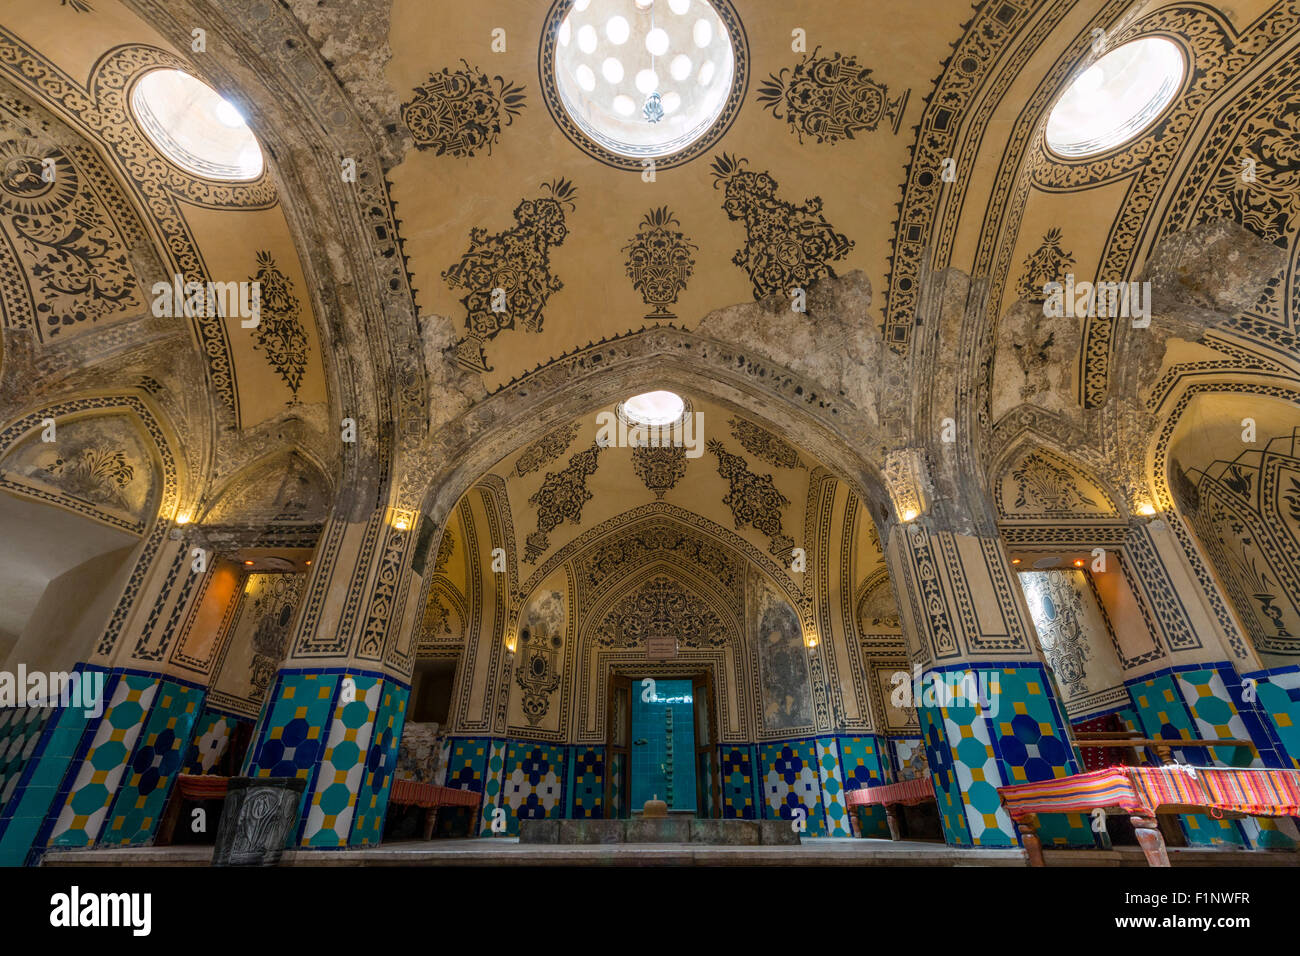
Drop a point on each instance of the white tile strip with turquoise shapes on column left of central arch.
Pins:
(333, 802)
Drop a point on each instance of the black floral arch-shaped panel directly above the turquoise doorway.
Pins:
(661, 608)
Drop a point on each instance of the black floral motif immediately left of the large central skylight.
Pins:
(460, 113)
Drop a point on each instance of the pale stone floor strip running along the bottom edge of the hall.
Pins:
(813, 853)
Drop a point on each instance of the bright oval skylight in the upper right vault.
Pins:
(1116, 98)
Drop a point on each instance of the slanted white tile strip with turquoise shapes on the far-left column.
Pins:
(106, 763)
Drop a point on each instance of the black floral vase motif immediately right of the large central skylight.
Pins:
(830, 98)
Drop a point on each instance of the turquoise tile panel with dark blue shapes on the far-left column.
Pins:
(154, 765)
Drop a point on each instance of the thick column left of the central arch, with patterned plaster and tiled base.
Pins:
(336, 710)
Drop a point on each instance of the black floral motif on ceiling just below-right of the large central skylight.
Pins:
(787, 245)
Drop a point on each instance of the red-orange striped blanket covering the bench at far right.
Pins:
(1146, 790)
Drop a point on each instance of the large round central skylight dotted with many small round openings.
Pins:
(644, 79)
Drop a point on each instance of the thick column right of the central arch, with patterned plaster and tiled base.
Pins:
(987, 707)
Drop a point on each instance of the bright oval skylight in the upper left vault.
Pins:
(196, 128)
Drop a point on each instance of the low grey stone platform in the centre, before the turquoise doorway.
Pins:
(686, 830)
